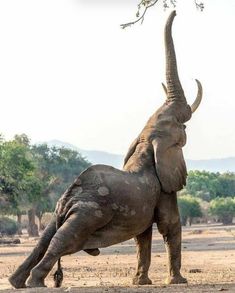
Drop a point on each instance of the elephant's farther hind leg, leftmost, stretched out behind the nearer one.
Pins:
(19, 277)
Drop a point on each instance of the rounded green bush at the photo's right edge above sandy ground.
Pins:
(223, 208)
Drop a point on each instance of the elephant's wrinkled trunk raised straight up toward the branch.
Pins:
(174, 88)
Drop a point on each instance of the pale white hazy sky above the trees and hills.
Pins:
(68, 72)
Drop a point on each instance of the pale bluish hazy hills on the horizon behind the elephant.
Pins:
(115, 160)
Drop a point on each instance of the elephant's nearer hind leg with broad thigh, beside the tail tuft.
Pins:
(70, 238)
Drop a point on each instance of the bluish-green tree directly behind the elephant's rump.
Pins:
(56, 170)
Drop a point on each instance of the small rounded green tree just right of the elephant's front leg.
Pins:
(189, 208)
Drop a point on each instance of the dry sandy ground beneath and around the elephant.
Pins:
(208, 262)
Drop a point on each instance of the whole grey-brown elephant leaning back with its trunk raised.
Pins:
(105, 206)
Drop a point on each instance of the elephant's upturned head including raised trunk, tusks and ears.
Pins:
(165, 130)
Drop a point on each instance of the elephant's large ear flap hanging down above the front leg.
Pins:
(170, 166)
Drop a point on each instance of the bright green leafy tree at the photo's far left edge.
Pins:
(17, 175)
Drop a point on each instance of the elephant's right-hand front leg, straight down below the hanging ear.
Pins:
(168, 223)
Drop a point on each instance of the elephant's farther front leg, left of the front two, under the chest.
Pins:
(143, 243)
